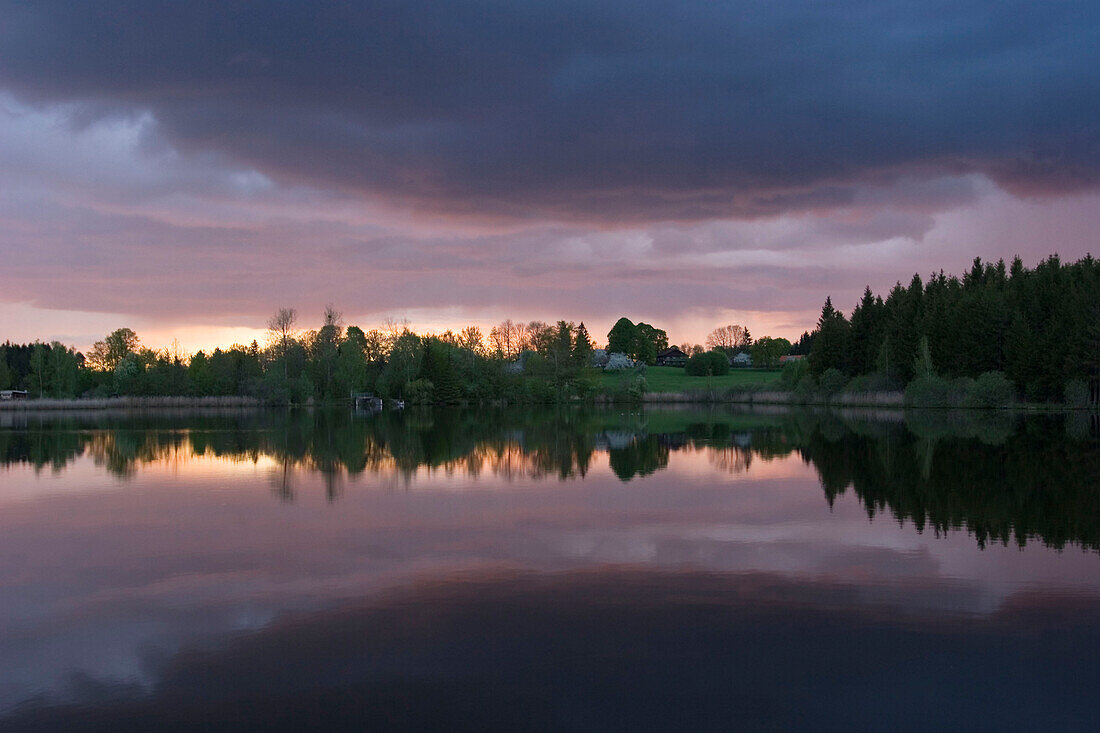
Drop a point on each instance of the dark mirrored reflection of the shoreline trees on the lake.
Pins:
(997, 476)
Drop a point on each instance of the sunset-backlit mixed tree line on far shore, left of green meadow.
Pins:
(324, 365)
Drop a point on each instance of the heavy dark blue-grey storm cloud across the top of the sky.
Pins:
(579, 111)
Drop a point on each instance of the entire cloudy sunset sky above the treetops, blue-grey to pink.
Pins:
(188, 169)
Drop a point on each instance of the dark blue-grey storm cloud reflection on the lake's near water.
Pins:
(618, 651)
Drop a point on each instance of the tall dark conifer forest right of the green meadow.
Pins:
(1038, 330)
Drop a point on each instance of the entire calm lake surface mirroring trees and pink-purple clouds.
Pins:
(549, 570)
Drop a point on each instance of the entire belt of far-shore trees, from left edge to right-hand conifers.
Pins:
(994, 336)
